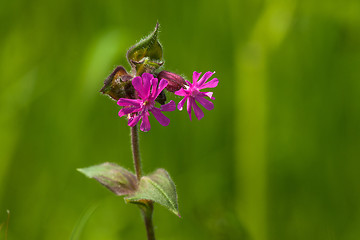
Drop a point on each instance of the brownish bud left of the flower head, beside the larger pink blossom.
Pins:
(118, 84)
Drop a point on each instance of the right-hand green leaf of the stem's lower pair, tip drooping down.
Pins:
(157, 187)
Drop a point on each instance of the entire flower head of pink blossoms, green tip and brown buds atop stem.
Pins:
(138, 91)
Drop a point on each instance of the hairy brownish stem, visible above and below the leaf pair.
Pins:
(146, 210)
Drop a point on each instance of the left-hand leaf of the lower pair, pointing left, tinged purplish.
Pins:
(117, 179)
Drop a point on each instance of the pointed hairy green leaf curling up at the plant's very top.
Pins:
(146, 55)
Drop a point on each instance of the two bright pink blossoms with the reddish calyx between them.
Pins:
(148, 89)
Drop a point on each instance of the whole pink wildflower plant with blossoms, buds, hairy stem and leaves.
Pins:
(140, 92)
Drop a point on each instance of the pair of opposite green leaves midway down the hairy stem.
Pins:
(157, 187)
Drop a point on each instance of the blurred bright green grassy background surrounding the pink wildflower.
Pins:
(278, 157)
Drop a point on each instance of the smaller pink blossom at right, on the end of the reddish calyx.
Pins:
(191, 93)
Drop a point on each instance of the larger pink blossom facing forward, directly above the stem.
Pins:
(147, 90)
